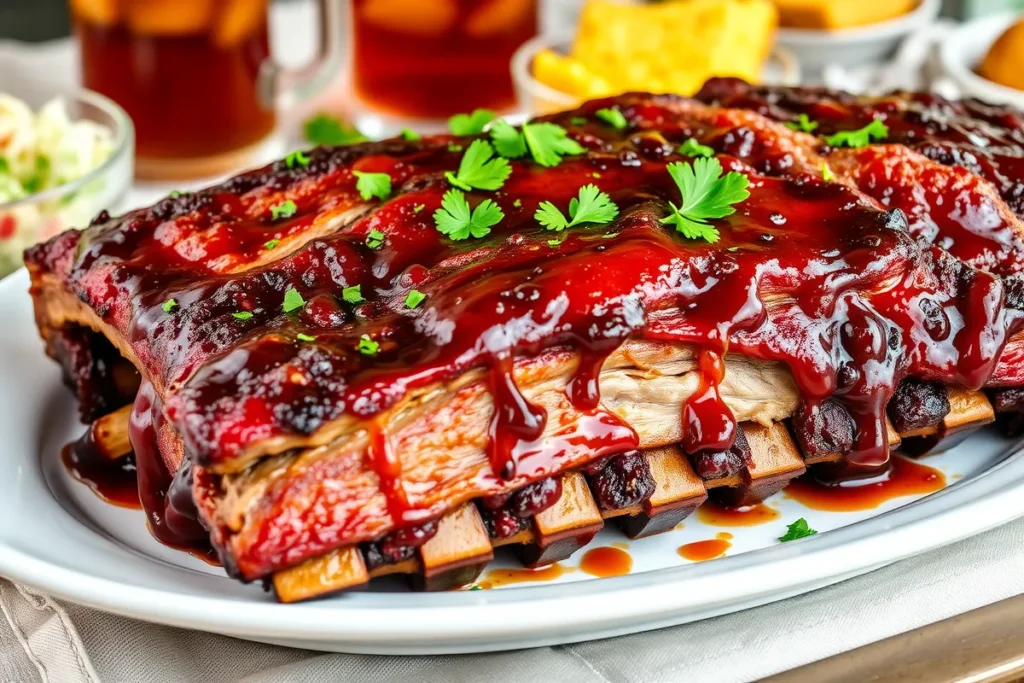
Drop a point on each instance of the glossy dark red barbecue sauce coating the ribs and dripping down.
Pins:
(807, 273)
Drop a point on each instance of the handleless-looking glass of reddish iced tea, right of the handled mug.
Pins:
(415, 63)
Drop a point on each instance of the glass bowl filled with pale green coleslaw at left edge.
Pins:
(63, 161)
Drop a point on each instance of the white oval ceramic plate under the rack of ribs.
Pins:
(57, 537)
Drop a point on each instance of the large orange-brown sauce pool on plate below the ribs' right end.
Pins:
(905, 478)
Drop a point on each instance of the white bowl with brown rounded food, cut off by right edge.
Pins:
(984, 59)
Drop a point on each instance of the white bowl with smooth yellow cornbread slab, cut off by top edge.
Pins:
(849, 33)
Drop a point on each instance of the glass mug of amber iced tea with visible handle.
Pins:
(196, 76)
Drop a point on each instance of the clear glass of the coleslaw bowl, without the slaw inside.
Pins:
(40, 217)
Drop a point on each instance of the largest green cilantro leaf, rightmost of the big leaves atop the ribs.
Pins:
(706, 195)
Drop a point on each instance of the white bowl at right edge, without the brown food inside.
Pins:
(964, 51)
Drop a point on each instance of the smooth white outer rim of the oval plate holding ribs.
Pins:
(535, 615)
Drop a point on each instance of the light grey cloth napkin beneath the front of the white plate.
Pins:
(42, 639)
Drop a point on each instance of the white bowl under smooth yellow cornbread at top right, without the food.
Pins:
(852, 48)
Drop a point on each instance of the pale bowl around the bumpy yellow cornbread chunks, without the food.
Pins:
(537, 99)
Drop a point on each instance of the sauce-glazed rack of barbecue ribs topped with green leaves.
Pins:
(393, 358)
